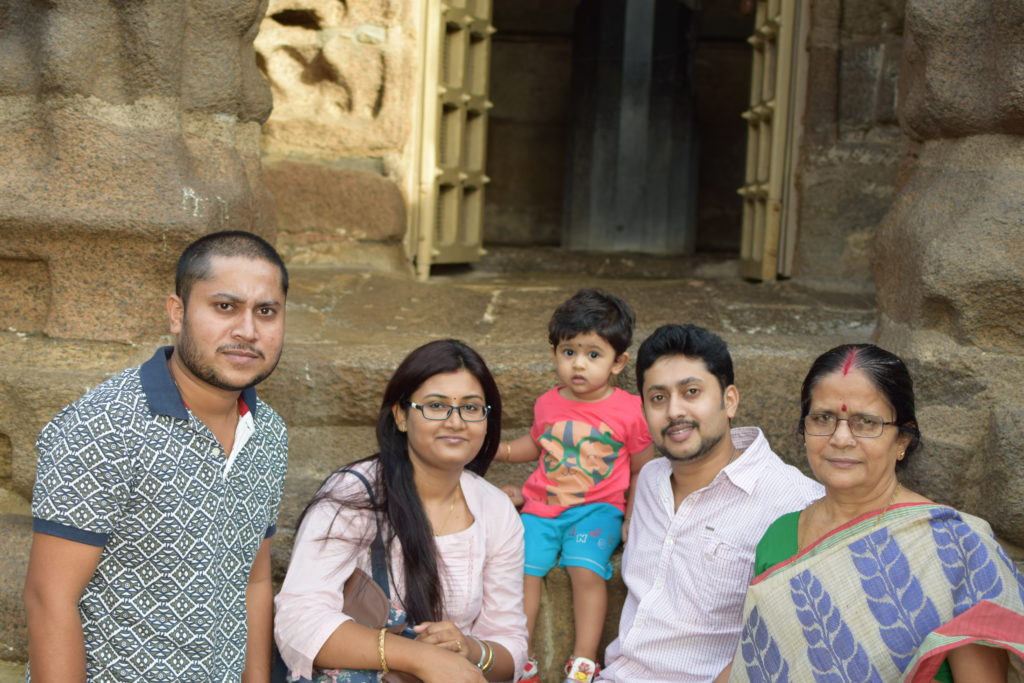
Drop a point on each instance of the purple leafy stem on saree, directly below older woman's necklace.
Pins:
(894, 595)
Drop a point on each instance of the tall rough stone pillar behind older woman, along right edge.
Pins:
(950, 257)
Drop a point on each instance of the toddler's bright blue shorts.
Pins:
(582, 537)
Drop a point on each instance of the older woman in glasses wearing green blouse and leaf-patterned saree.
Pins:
(875, 582)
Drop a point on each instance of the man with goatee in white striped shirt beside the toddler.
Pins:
(698, 516)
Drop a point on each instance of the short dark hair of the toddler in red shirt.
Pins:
(593, 311)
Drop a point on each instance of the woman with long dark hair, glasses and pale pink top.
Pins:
(454, 542)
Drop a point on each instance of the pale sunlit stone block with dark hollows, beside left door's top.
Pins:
(343, 76)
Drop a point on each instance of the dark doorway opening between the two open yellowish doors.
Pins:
(552, 165)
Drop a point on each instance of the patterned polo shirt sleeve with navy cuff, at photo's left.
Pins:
(81, 480)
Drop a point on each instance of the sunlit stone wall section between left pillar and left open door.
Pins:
(337, 146)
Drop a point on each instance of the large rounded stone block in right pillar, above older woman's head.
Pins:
(956, 266)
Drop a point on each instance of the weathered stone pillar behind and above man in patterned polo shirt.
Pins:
(126, 132)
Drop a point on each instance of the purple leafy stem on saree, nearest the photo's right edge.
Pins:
(969, 569)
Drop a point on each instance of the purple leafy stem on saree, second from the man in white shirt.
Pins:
(832, 650)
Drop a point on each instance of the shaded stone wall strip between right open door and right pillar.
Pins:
(852, 143)
